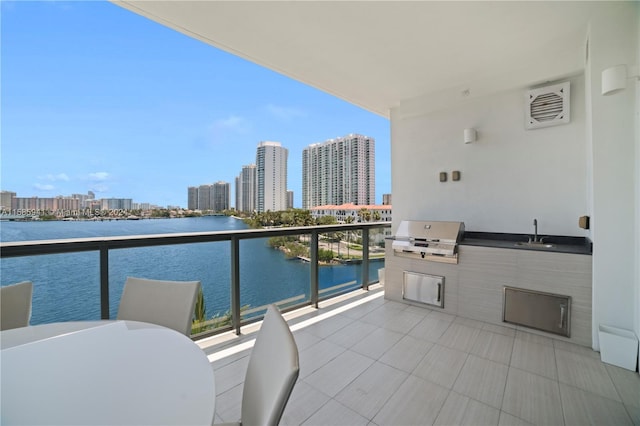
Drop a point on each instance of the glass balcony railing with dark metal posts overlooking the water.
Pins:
(241, 271)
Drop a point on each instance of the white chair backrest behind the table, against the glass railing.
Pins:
(166, 303)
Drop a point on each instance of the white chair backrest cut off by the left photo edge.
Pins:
(15, 305)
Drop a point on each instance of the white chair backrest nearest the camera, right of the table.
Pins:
(272, 372)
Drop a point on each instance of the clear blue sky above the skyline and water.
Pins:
(97, 98)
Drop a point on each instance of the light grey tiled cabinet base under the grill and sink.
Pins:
(474, 287)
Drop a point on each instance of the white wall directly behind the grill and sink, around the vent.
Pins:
(509, 176)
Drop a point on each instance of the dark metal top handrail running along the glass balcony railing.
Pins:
(70, 245)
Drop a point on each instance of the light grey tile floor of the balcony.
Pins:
(386, 363)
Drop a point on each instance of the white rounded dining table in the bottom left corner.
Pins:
(104, 372)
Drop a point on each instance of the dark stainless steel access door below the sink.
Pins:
(538, 310)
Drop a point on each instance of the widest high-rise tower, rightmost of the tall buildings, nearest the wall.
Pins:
(339, 171)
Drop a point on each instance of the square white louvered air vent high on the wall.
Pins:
(547, 106)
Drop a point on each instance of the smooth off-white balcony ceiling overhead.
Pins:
(376, 54)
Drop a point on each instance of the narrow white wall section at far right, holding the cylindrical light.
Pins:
(613, 40)
